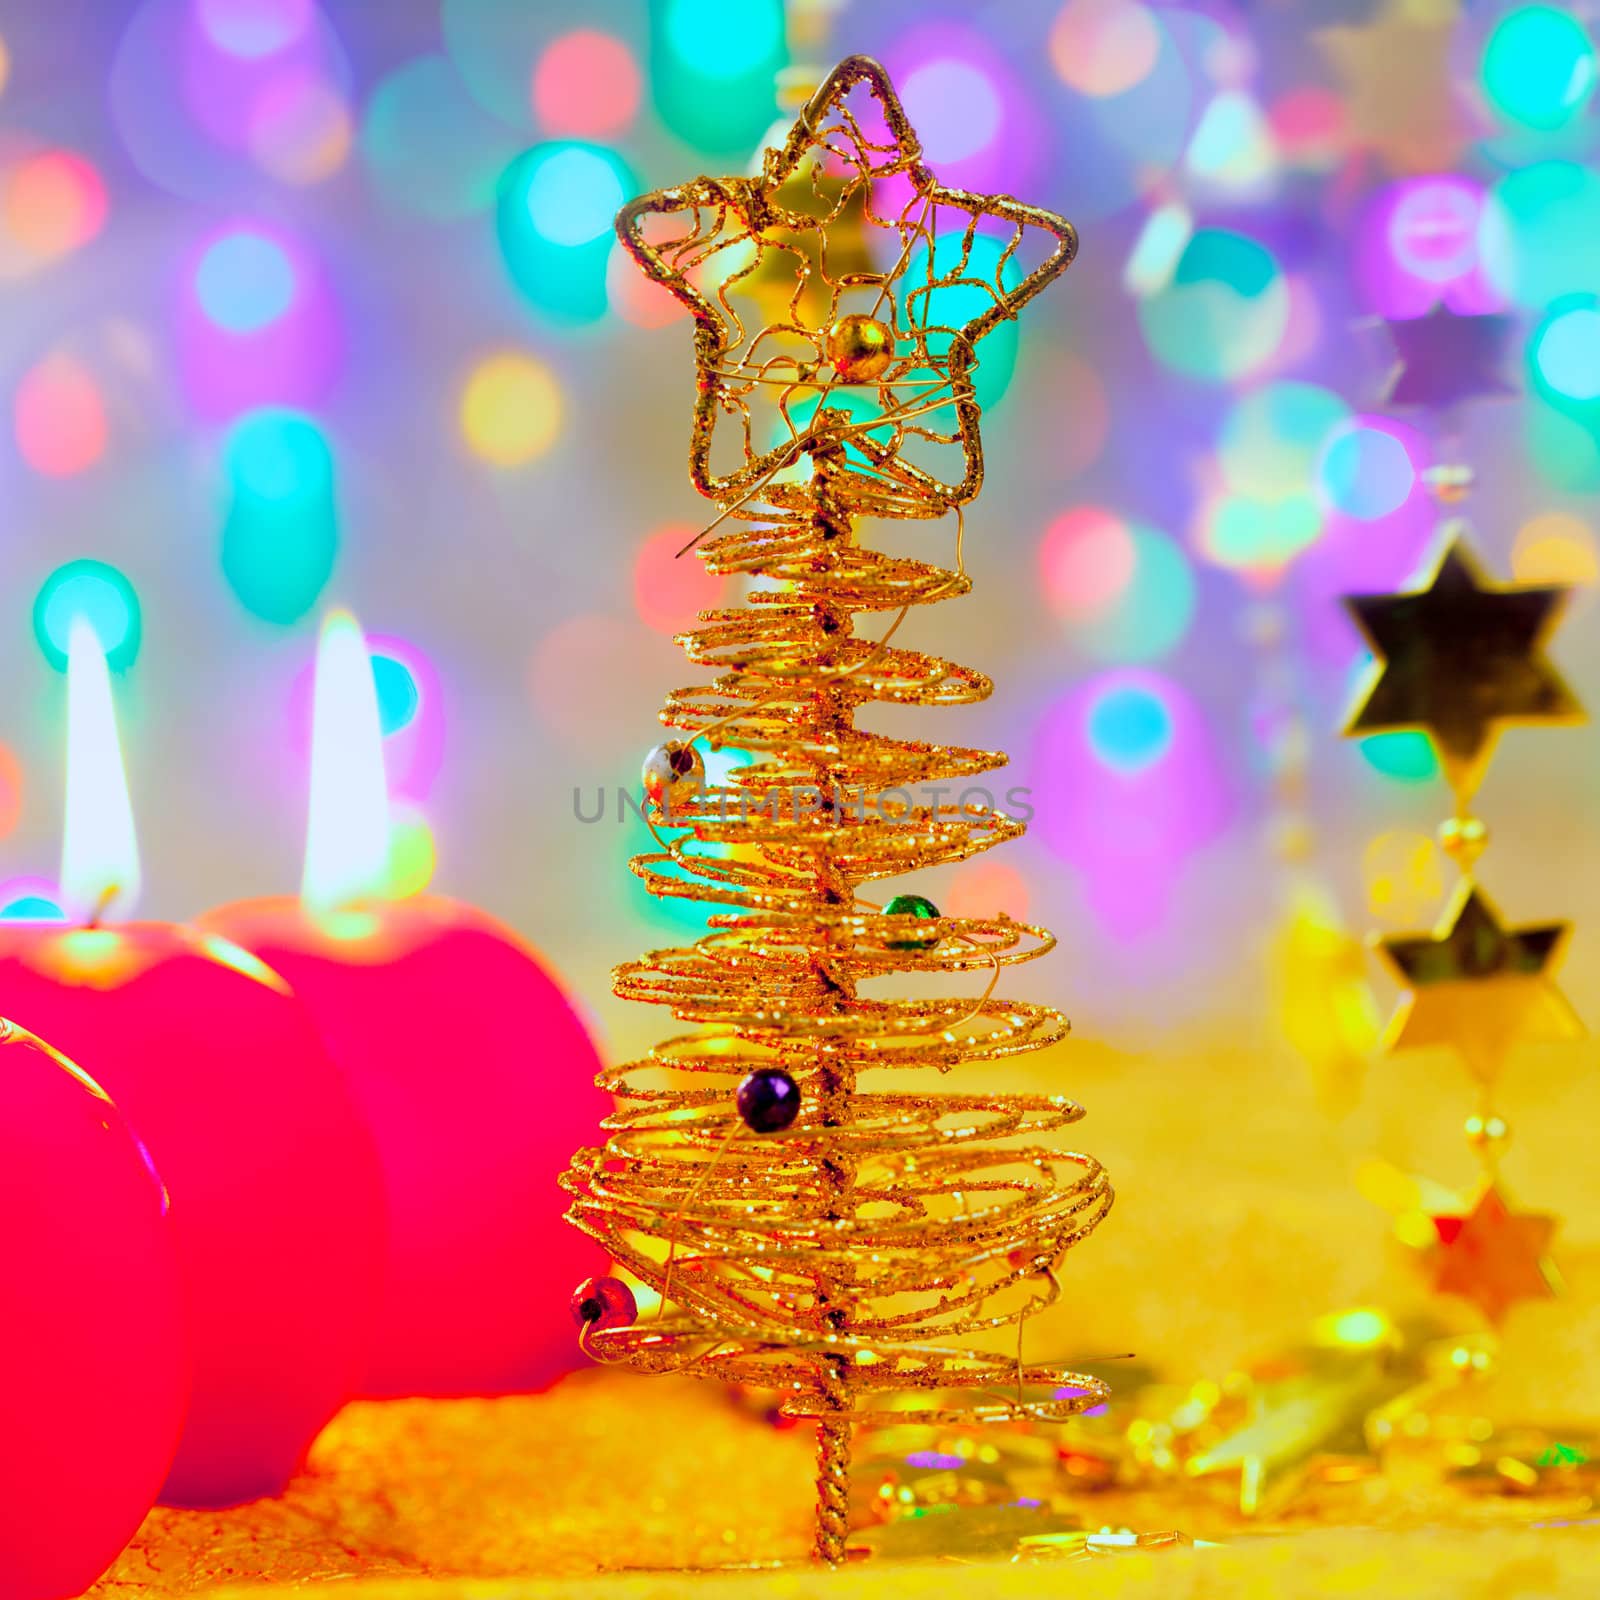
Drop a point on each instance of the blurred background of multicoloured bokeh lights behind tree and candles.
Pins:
(318, 303)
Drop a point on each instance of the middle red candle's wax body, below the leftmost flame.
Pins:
(276, 1194)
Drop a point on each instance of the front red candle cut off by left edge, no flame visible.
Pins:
(94, 1366)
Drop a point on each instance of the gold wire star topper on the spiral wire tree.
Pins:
(879, 359)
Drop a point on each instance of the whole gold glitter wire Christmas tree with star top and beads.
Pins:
(809, 1225)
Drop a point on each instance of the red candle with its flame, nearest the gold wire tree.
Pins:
(466, 1058)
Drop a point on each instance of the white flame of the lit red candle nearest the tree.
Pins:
(348, 828)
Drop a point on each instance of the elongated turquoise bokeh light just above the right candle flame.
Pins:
(282, 530)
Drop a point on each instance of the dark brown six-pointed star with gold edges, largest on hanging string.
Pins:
(1460, 660)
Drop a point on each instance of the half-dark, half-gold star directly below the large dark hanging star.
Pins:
(1478, 986)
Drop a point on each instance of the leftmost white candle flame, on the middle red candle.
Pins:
(100, 849)
